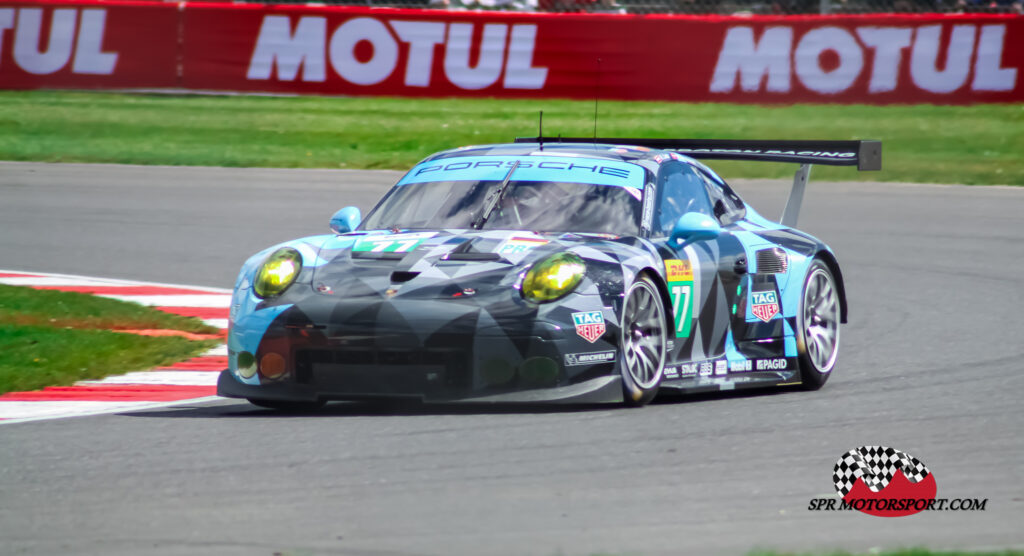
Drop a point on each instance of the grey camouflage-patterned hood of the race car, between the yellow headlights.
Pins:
(439, 264)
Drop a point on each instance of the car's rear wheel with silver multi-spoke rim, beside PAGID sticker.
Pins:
(818, 327)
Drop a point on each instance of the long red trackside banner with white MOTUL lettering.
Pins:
(878, 60)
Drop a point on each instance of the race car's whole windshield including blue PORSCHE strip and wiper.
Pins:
(581, 200)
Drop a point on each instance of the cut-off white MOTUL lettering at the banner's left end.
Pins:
(90, 58)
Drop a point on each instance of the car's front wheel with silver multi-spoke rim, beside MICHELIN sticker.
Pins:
(643, 343)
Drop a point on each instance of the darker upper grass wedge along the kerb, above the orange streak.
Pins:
(69, 310)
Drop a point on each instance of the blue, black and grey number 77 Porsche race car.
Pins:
(548, 270)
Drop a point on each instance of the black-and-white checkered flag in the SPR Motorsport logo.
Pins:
(876, 466)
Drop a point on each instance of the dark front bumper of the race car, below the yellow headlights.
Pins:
(426, 351)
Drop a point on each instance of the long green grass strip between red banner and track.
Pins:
(980, 145)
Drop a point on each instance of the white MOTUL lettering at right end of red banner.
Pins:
(774, 58)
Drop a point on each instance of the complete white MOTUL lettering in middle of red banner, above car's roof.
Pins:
(310, 48)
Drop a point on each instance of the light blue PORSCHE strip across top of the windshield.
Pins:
(559, 169)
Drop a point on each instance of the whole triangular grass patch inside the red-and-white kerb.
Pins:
(52, 338)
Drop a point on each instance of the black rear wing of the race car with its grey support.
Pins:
(864, 155)
